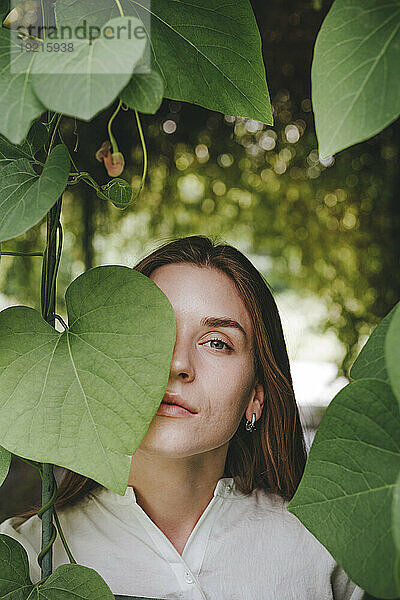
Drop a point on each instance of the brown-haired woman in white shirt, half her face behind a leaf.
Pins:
(204, 515)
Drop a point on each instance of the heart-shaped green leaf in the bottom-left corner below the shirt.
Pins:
(68, 582)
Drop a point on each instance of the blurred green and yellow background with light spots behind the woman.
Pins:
(325, 234)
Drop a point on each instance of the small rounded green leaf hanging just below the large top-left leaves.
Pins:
(144, 92)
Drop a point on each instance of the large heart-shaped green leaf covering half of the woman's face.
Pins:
(84, 398)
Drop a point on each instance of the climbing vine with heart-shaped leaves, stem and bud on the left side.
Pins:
(100, 381)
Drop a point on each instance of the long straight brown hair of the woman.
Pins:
(273, 456)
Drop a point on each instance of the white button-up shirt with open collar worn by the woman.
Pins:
(243, 547)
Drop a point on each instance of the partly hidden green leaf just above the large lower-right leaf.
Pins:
(371, 360)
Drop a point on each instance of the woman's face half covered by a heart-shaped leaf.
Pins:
(212, 367)
